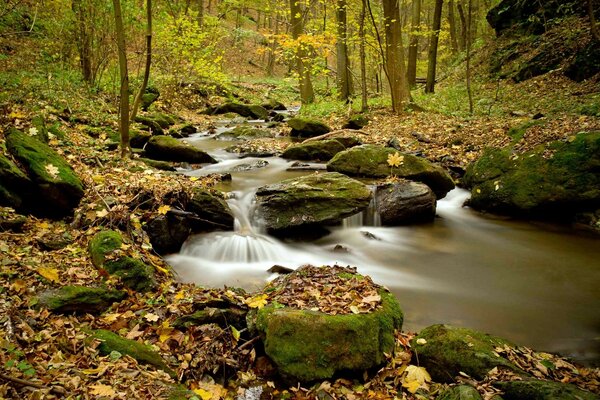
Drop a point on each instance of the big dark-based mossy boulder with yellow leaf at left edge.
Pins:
(56, 189)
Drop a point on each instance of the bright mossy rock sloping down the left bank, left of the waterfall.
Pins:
(105, 252)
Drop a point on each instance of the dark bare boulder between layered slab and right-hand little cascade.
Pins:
(405, 202)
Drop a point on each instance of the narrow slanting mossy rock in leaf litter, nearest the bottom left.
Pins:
(143, 353)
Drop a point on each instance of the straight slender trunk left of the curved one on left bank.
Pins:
(124, 92)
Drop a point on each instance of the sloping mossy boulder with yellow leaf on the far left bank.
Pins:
(58, 189)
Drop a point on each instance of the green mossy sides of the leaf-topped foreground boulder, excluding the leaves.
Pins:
(308, 345)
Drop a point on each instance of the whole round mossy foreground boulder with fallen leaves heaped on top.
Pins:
(307, 345)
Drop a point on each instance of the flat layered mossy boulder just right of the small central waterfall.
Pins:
(310, 201)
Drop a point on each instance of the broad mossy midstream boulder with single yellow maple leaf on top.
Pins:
(371, 161)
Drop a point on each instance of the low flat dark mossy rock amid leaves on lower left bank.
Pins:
(79, 299)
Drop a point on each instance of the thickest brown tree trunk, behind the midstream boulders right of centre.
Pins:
(394, 50)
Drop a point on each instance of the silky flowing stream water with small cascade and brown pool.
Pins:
(536, 285)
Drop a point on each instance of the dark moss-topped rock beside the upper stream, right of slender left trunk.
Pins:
(166, 148)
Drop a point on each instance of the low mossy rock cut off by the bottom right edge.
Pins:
(533, 389)
